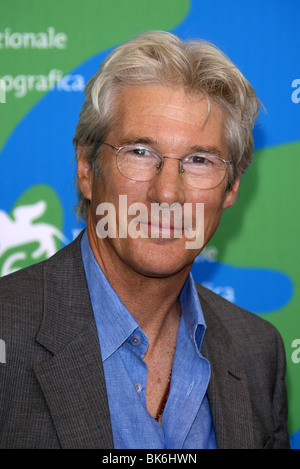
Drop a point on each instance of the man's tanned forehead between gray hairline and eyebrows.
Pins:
(167, 115)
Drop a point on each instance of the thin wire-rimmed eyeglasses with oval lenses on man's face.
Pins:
(198, 170)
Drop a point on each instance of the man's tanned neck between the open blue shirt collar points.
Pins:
(152, 301)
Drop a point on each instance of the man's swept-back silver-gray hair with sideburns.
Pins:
(162, 58)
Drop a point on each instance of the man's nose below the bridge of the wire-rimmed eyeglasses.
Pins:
(167, 186)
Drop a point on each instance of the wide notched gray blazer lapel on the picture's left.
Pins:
(72, 380)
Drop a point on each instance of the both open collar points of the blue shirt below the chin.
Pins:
(114, 322)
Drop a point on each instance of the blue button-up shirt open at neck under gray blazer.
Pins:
(187, 422)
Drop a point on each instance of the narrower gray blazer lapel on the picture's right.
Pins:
(228, 391)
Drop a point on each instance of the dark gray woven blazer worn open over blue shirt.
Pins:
(52, 389)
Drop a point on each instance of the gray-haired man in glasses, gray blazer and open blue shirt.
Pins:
(110, 344)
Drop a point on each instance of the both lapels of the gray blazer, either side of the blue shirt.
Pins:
(73, 379)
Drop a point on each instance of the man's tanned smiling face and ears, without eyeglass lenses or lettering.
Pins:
(173, 123)
